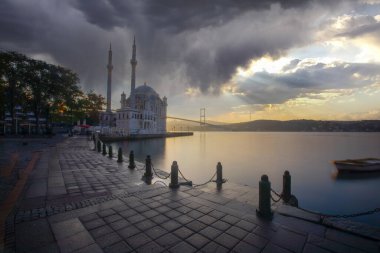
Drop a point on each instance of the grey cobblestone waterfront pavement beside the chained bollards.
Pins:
(80, 201)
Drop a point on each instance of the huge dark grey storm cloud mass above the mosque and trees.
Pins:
(197, 43)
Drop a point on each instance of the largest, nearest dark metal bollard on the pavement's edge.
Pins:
(264, 210)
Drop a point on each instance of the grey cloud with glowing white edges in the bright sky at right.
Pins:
(276, 88)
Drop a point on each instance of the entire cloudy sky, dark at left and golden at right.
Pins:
(241, 60)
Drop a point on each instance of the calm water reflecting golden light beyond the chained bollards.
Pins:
(245, 156)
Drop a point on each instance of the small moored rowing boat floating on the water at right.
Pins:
(358, 165)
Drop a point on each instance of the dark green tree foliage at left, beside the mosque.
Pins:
(47, 90)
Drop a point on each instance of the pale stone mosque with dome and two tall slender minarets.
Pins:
(143, 112)
